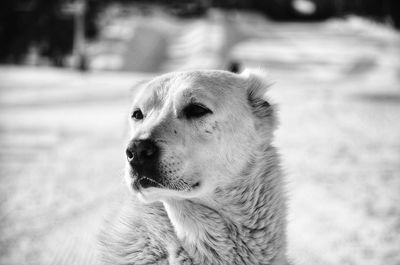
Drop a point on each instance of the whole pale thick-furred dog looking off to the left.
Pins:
(206, 180)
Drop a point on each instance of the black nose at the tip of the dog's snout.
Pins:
(139, 152)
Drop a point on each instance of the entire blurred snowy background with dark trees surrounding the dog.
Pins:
(66, 73)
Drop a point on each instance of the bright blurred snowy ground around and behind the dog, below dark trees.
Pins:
(338, 88)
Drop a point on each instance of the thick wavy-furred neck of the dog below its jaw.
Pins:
(244, 224)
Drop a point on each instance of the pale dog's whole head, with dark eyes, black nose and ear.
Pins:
(193, 132)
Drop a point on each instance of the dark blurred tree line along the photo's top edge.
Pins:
(42, 24)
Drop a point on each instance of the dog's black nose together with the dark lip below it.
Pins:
(143, 157)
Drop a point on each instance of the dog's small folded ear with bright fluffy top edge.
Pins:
(257, 87)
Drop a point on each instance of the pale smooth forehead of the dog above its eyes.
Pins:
(187, 86)
